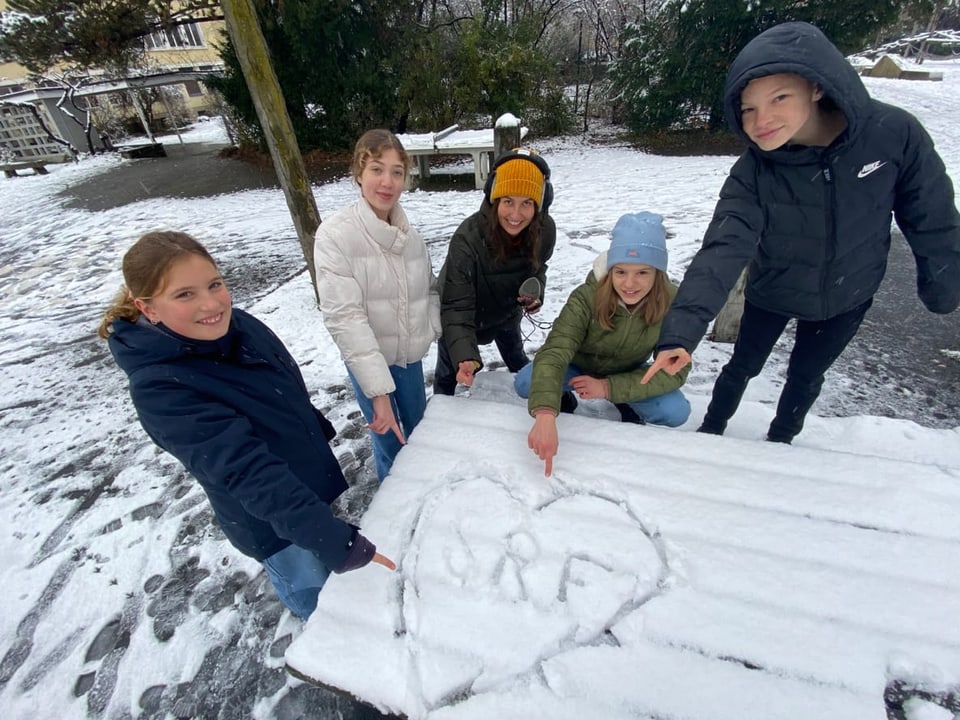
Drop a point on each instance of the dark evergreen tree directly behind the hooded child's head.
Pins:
(674, 61)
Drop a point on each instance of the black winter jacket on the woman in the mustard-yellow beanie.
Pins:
(478, 297)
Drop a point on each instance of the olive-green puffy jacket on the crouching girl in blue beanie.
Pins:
(619, 355)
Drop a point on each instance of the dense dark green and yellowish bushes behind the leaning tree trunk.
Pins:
(406, 64)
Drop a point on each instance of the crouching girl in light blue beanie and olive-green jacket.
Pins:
(602, 340)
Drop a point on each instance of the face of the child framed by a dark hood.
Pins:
(781, 108)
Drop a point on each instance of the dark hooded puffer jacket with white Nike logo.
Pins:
(814, 223)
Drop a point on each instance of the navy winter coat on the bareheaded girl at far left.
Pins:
(236, 413)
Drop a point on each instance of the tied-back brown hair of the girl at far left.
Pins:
(145, 267)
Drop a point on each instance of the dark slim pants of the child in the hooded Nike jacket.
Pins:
(816, 347)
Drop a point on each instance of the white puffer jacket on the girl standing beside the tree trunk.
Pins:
(378, 293)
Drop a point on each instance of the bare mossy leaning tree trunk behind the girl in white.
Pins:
(254, 57)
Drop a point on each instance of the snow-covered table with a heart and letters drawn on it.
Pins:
(658, 573)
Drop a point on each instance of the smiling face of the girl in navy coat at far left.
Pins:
(193, 300)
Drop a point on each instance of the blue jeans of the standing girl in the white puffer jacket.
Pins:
(409, 402)
